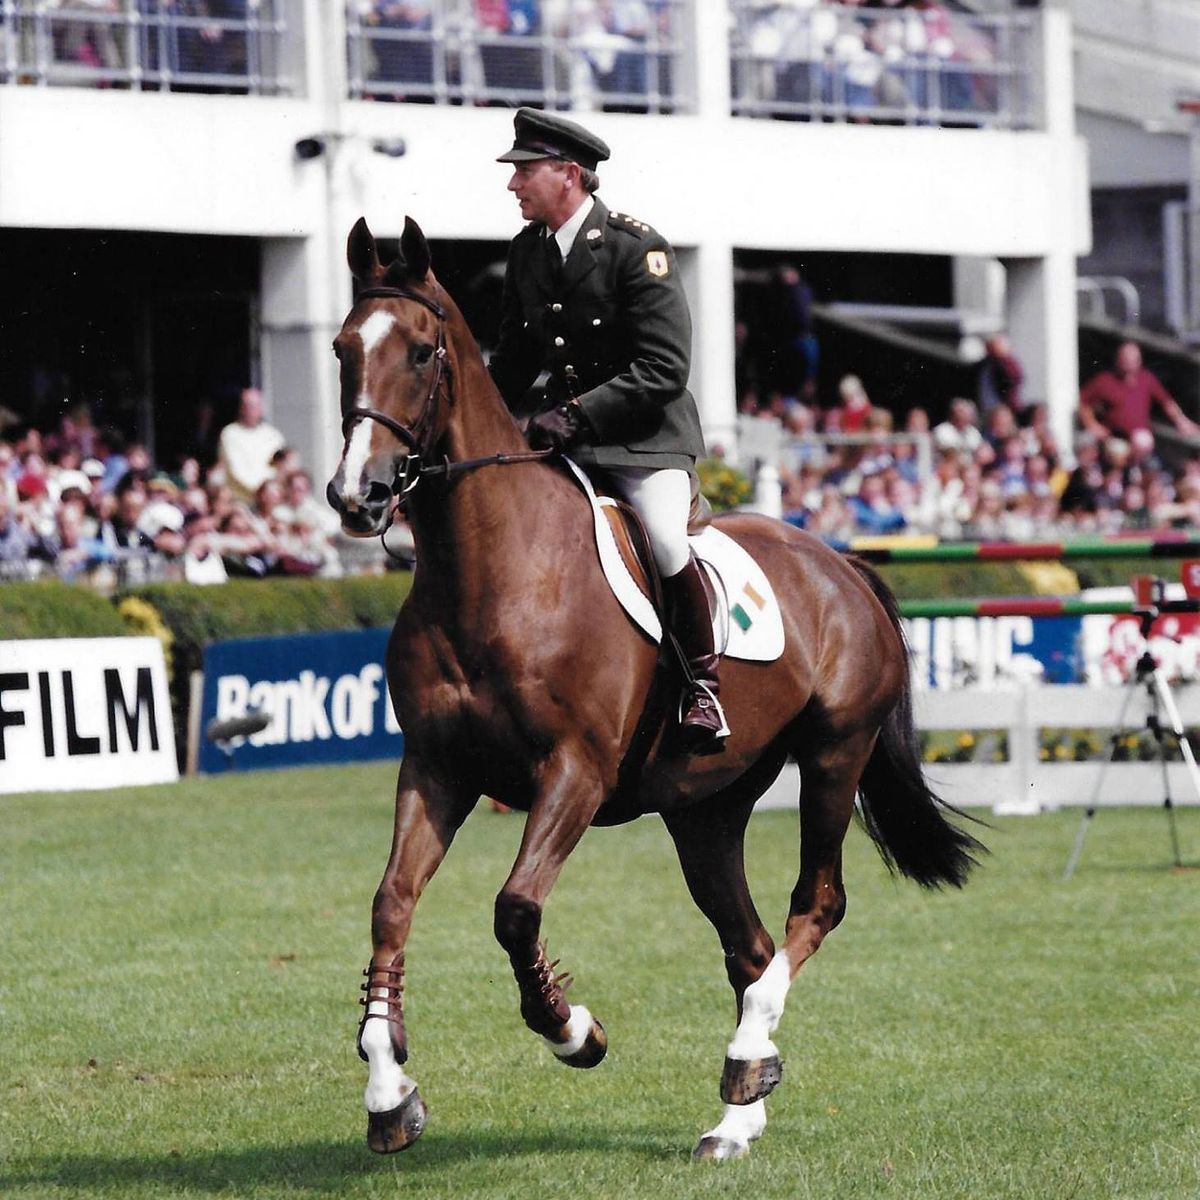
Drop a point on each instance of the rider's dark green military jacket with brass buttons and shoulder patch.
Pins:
(614, 332)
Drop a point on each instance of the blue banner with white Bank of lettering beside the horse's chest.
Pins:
(326, 695)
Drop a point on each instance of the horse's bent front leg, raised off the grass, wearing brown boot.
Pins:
(556, 823)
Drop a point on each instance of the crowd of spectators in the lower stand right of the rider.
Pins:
(995, 469)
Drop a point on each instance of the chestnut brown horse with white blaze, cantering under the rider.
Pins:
(515, 675)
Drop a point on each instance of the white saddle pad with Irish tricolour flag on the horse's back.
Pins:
(747, 623)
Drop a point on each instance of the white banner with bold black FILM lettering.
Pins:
(85, 715)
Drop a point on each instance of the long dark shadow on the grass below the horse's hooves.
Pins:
(314, 1167)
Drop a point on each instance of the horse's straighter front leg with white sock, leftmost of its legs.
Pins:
(428, 817)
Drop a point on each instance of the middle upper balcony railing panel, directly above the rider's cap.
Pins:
(574, 55)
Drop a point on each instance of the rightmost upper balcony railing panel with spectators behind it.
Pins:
(899, 67)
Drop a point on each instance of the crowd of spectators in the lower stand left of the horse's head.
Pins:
(81, 503)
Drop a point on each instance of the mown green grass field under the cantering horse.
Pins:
(179, 971)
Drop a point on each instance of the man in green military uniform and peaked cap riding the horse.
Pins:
(596, 299)
